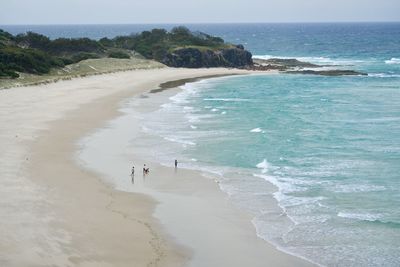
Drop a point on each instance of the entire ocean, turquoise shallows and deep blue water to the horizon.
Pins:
(330, 146)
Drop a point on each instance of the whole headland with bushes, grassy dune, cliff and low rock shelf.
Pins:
(31, 54)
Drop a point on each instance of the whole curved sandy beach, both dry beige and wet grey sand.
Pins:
(56, 212)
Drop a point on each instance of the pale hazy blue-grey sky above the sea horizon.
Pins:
(194, 11)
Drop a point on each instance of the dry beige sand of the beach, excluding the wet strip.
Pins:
(72, 216)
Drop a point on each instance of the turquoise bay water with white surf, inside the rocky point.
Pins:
(331, 146)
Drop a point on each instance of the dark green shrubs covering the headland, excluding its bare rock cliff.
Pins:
(35, 53)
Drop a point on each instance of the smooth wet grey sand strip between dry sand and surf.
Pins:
(172, 187)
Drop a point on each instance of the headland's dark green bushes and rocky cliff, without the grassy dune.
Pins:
(35, 53)
